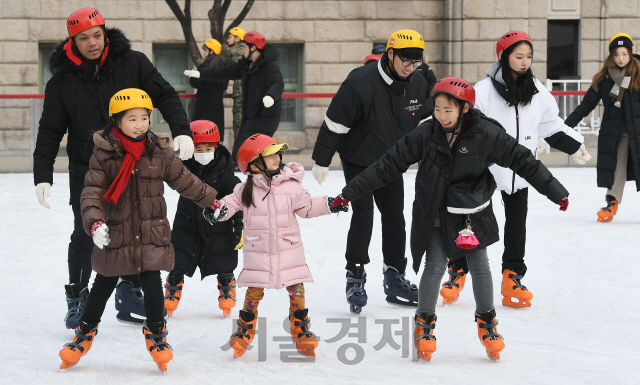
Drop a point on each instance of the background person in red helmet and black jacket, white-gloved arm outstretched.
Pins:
(262, 86)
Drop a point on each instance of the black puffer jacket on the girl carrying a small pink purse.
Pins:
(485, 142)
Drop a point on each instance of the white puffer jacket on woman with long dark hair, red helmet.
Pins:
(536, 120)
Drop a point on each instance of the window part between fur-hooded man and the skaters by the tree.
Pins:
(171, 60)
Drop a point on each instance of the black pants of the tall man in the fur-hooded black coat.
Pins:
(81, 245)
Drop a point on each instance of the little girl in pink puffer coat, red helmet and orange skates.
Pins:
(273, 251)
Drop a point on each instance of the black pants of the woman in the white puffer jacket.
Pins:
(515, 233)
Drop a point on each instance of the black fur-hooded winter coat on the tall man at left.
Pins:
(77, 102)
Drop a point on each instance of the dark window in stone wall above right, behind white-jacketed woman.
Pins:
(562, 49)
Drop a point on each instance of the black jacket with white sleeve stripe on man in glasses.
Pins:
(369, 113)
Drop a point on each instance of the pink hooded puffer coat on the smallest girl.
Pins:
(273, 252)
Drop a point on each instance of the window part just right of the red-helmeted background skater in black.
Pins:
(290, 62)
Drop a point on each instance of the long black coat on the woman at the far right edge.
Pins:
(615, 121)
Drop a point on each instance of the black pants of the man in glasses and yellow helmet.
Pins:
(390, 202)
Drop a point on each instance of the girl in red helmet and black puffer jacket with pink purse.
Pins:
(453, 199)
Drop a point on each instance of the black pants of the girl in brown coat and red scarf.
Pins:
(103, 288)
